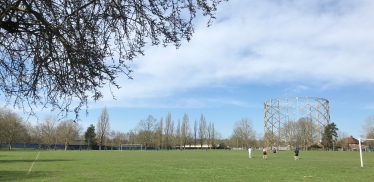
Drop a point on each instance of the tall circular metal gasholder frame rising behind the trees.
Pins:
(279, 111)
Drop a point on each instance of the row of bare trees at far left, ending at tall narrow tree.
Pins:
(49, 130)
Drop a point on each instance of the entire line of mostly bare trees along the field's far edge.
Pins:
(167, 133)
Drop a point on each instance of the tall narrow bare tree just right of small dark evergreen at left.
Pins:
(102, 126)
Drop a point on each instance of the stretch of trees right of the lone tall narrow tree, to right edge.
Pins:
(302, 133)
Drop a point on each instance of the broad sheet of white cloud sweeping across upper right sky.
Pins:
(265, 42)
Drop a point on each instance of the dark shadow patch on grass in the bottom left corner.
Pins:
(21, 175)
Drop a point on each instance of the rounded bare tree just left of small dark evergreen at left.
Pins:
(68, 130)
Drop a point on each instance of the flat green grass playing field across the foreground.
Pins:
(188, 165)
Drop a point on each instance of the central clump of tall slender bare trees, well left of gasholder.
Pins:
(165, 134)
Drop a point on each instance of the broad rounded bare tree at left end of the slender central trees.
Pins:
(146, 129)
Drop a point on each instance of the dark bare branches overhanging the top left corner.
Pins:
(55, 51)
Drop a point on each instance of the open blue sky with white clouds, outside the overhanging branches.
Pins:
(254, 51)
